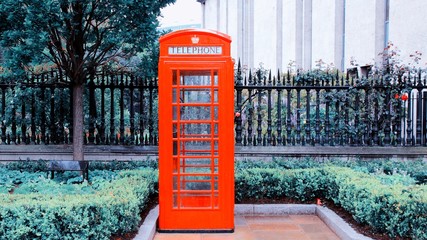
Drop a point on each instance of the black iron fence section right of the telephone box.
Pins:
(317, 108)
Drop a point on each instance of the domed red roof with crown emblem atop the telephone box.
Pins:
(195, 37)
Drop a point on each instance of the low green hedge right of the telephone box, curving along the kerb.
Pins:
(386, 203)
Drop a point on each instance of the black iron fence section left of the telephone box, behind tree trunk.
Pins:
(119, 108)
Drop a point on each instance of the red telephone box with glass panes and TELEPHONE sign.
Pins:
(196, 136)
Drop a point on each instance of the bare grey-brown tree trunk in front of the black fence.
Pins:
(78, 151)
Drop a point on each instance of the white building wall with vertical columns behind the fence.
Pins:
(277, 32)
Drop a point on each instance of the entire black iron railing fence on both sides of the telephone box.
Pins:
(314, 108)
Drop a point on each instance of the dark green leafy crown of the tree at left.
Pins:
(70, 32)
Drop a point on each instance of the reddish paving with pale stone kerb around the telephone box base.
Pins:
(265, 222)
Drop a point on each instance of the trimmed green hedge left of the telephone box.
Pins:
(112, 209)
